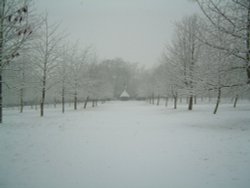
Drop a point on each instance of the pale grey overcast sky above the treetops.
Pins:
(135, 30)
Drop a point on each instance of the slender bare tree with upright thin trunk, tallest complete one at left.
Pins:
(46, 56)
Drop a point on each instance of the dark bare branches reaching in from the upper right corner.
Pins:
(234, 16)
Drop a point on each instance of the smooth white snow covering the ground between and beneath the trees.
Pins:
(126, 145)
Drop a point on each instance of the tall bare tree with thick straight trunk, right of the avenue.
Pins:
(188, 51)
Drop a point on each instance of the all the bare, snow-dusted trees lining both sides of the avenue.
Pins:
(208, 57)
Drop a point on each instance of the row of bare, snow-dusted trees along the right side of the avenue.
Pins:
(209, 54)
